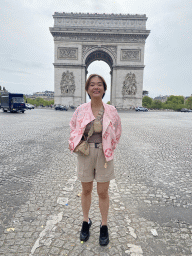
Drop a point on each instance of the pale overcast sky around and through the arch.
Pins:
(27, 46)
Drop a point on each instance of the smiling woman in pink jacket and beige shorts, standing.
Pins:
(105, 123)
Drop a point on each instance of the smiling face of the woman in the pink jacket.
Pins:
(96, 88)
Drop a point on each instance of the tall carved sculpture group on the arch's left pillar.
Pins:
(67, 84)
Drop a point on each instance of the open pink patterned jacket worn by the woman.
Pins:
(111, 127)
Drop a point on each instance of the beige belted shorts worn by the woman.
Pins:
(92, 166)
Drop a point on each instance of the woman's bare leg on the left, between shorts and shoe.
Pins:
(86, 199)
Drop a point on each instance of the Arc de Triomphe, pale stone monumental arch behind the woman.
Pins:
(117, 39)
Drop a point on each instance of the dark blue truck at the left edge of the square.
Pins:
(13, 102)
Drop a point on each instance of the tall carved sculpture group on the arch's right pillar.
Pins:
(129, 85)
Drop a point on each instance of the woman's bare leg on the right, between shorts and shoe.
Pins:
(102, 190)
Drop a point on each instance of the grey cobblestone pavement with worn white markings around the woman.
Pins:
(150, 199)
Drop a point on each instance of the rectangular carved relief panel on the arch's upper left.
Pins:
(67, 53)
